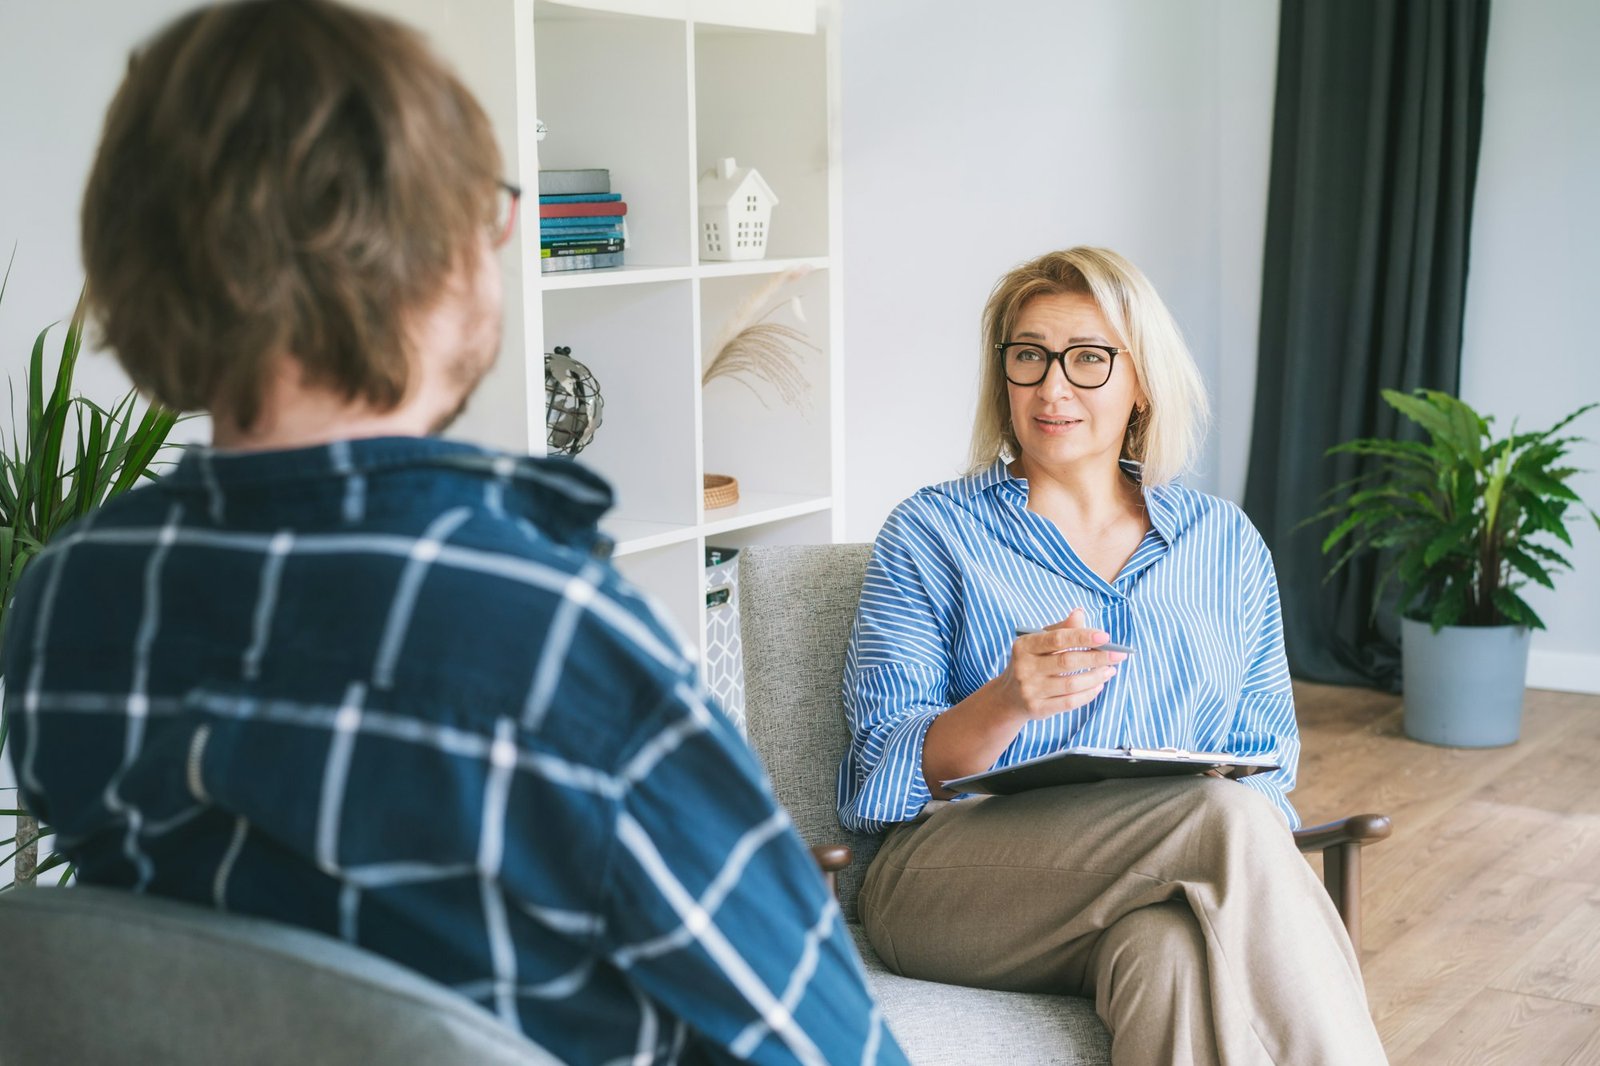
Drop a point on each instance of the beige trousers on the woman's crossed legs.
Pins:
(1182, 907)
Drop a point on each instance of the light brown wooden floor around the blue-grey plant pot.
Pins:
(1482, 912)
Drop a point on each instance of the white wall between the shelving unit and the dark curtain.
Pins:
(980, 137)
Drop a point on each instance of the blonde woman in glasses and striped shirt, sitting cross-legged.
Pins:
(1180, 905)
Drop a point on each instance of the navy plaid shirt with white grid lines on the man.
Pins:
(391, 691)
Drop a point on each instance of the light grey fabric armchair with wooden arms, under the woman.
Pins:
(798, 606)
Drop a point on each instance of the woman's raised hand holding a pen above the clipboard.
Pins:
(1057, 670)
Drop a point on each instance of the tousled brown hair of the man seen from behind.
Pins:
(281, 177)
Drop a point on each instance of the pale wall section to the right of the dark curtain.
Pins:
(1535, 278)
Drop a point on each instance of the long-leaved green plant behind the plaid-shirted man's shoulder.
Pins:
(65, 459)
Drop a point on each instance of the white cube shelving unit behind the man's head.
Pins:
(657, 92)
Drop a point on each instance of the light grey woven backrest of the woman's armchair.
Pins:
(798, 606)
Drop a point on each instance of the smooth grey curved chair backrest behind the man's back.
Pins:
(108, 977)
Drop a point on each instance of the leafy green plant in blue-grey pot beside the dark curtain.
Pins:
(1466, 519)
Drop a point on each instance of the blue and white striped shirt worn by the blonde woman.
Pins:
(961, 567)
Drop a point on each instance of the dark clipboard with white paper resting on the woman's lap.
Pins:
(1086, 766)
